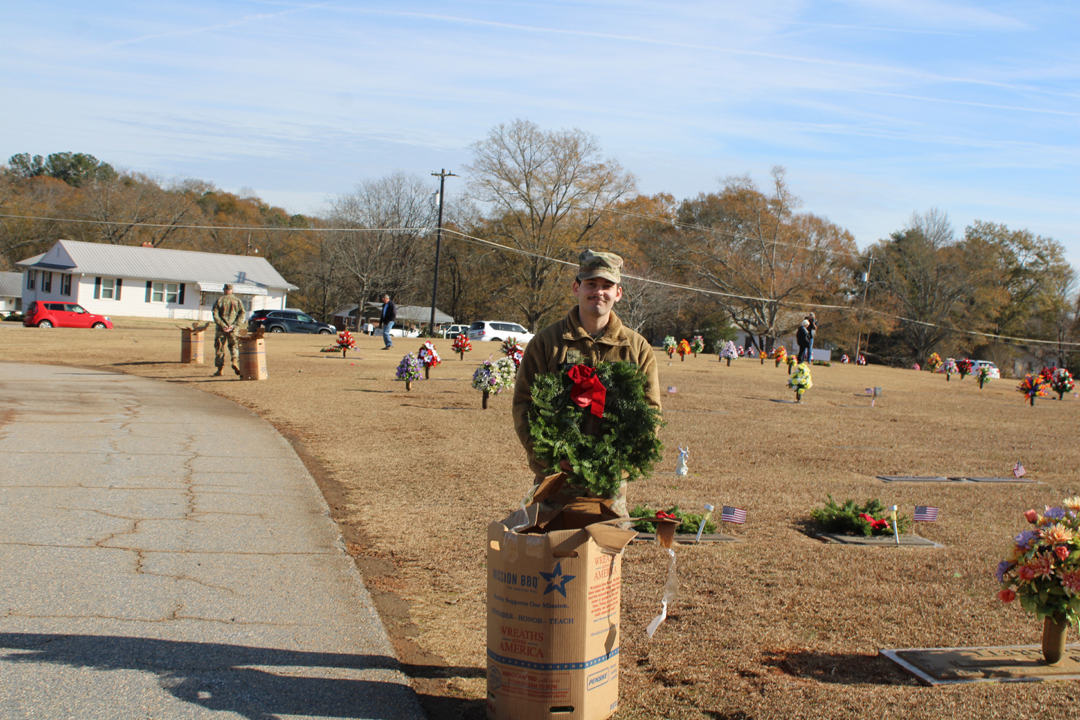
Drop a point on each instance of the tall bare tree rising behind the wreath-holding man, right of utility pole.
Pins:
(546, 191)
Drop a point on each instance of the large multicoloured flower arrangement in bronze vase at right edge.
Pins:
(1044, 572)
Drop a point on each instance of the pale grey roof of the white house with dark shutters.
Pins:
(157, 264)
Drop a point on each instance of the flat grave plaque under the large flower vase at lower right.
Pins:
(940, 667)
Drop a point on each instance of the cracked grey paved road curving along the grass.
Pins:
(165, 554)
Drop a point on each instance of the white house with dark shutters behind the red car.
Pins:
(148, 282)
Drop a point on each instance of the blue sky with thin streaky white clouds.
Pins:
(877, 108)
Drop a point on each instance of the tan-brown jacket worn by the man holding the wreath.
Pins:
(547, 352)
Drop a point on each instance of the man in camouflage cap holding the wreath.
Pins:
(589, 335)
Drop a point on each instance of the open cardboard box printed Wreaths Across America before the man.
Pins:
(553, 620)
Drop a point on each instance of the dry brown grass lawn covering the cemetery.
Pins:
(778, 627)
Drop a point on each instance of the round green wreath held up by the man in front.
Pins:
(601, 451)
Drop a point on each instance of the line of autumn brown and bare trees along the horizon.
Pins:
(744, 257)
